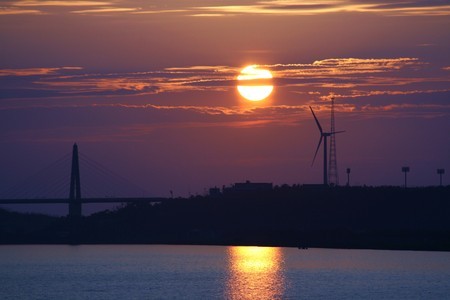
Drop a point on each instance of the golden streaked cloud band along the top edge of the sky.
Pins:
(222, 8)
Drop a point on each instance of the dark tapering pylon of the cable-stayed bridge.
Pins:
(75, 186)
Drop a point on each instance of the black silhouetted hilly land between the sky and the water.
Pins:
(340, 217)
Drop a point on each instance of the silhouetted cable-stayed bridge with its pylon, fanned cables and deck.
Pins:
(75, 179)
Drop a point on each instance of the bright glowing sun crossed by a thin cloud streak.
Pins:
(255, 83)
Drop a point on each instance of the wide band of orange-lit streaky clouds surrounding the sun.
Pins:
(353, 81)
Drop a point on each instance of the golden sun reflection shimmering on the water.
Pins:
(255, 273)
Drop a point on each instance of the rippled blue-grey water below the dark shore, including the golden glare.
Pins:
(216, 272)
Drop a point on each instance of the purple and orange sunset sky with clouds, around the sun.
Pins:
(148, 89)
